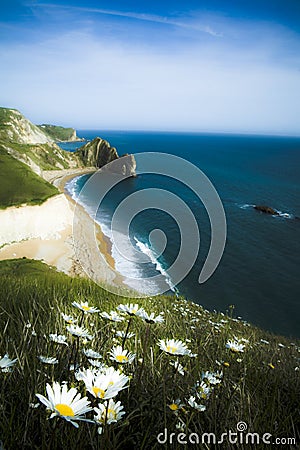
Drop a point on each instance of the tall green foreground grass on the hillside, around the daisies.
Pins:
(32, 298)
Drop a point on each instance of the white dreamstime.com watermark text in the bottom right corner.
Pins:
(240, 436)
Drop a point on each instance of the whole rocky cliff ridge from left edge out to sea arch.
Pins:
(35, 146)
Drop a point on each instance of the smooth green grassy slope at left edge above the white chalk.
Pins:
(19, 184)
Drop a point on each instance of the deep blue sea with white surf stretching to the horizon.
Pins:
(259, 270)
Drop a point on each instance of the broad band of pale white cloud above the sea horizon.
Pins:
(77, 79)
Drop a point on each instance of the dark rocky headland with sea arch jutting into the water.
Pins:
(98, 153)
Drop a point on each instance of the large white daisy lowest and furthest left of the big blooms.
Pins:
(65, 403)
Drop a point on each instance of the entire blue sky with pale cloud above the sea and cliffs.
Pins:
(214, 65)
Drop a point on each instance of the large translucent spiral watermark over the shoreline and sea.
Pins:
(102, 269)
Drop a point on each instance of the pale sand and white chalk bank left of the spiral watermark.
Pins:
(60, 233)
